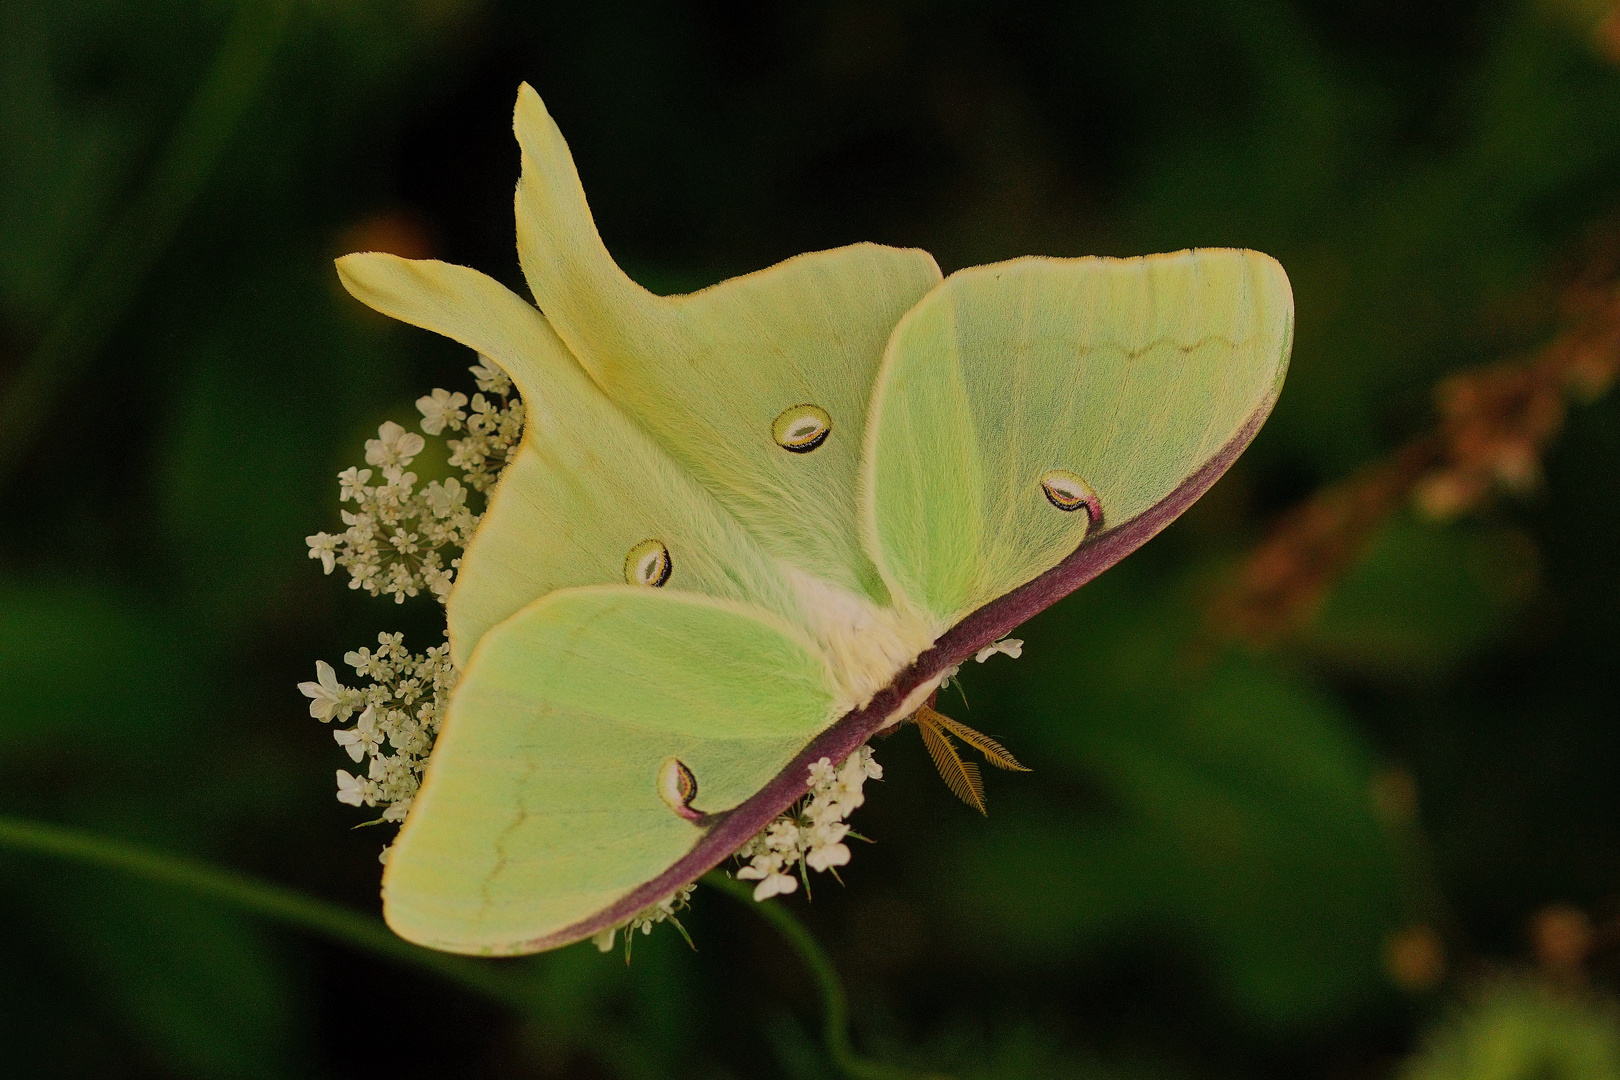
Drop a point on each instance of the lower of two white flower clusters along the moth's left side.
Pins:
(403, 707)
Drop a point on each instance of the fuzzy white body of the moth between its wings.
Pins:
(866, 647)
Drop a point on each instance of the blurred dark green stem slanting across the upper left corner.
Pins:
(109, 286)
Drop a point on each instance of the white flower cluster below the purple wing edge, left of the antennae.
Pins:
(812, 831)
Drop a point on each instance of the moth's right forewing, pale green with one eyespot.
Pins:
(1031, 406)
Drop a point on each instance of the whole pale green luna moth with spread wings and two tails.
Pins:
(756, 525)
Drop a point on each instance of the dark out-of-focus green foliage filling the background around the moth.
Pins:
(1206, 870)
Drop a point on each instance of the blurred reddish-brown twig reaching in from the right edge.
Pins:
(1494, 425)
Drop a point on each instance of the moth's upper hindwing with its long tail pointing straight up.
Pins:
(759, 386)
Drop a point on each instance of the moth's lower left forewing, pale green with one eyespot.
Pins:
(540, 820)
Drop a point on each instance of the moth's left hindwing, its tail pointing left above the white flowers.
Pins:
(590, 500)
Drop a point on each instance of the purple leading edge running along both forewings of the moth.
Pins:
(733, 828)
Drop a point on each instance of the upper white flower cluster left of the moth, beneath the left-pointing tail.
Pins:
(403, 540)
